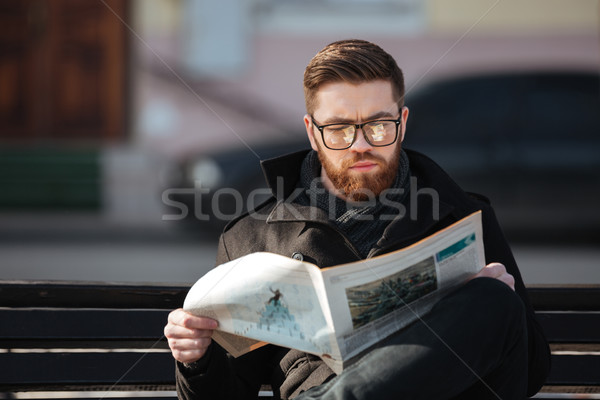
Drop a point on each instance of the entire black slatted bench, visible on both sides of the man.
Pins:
(107, 339)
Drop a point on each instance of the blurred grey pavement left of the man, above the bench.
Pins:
(85, 247)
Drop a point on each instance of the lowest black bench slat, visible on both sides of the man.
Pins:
(41, 371)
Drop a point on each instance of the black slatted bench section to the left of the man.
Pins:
(86, 337)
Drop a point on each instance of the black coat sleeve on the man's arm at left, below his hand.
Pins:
(218, 375)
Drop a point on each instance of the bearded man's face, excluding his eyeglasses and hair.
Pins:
(362, 170)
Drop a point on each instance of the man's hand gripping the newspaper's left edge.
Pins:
(189, 336)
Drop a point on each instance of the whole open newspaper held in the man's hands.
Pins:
(339, 312)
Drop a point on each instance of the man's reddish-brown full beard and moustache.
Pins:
(366, 186)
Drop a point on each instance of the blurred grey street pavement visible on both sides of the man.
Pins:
(87, 249)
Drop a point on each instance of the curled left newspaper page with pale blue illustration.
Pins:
(264, 297)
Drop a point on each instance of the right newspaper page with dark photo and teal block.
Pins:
(374, 298)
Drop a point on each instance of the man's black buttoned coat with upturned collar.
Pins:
(301, 231)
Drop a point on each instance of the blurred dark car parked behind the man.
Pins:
(528, 141)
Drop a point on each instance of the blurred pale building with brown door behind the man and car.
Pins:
(99, 99)
